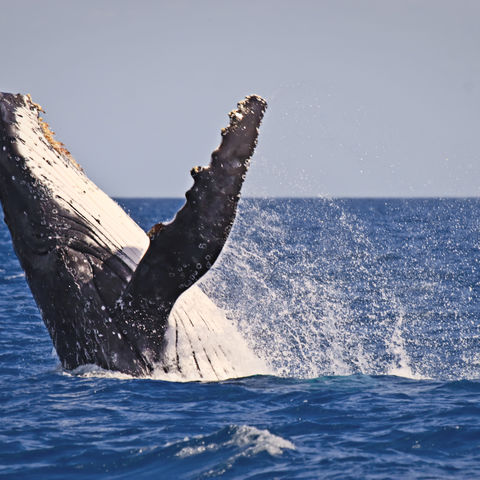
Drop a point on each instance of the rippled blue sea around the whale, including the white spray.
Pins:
(368, 310)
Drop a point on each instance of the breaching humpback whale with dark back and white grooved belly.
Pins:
(107, 291)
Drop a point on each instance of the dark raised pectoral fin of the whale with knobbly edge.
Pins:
(182, 251)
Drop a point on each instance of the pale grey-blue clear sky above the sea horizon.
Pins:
(367, 98)
